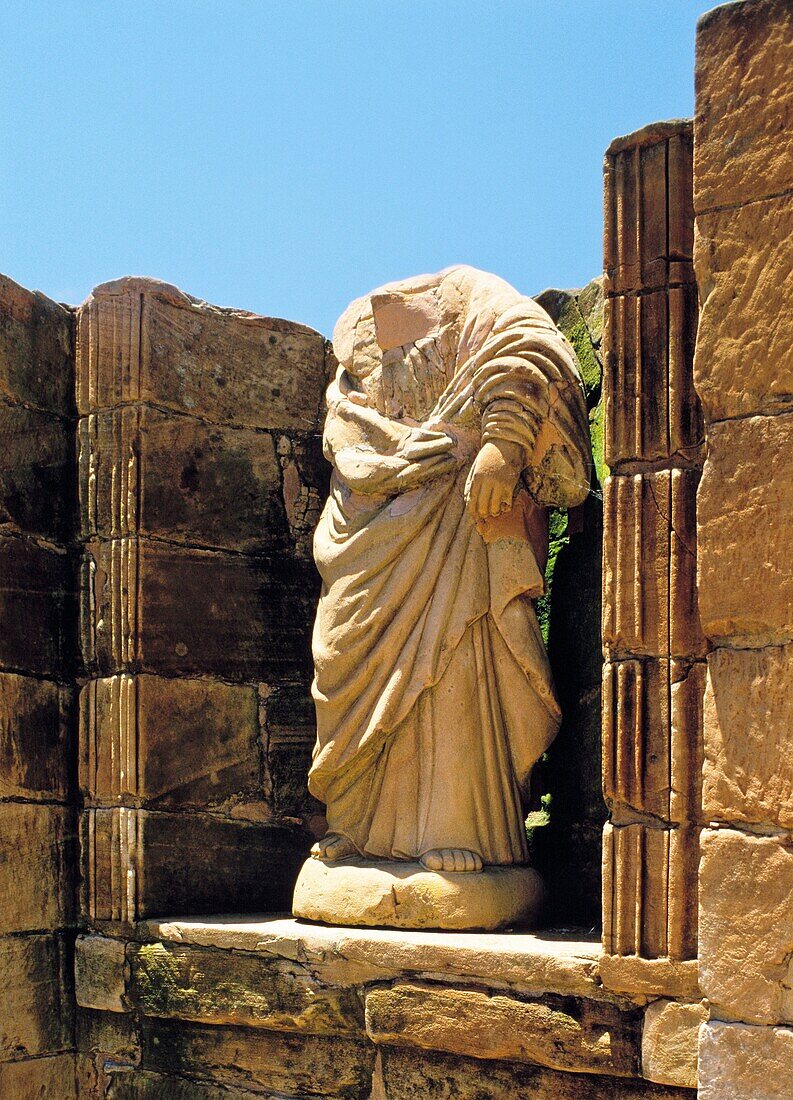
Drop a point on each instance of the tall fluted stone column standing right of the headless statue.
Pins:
(655, 651)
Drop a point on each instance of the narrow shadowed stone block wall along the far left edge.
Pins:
(38, 665)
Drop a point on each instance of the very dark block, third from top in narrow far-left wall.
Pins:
(37, 608)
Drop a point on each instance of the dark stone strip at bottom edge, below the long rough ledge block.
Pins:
(407, 1075)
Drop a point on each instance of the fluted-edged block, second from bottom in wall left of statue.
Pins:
(171, 744)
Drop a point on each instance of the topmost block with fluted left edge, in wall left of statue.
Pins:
(140, 340)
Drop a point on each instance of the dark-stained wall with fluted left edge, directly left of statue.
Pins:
(201, 479)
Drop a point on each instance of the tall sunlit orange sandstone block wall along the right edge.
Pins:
(744, 375)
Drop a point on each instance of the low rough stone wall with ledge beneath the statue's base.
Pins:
(190, 1008)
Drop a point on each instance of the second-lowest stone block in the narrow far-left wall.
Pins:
(36, 1009)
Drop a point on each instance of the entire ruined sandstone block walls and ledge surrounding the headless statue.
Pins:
(161, 477)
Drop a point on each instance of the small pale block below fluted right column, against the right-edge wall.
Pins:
(669, 1042)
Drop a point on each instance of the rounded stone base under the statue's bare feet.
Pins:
(395, 895)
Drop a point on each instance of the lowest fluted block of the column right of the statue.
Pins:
(649, 892)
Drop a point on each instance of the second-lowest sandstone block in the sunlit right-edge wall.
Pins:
(746, 936)
